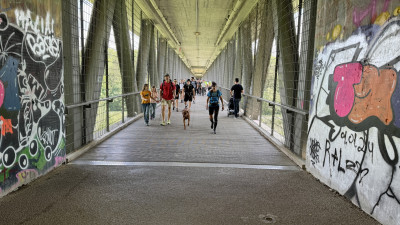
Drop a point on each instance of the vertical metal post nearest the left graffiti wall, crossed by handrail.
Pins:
(83, 92)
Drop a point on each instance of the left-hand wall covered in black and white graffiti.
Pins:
(32, 136)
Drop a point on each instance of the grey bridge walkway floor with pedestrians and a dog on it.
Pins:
(168, 175)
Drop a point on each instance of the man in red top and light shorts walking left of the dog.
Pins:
(167, 94)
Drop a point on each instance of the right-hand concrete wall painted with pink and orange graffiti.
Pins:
(354, 124)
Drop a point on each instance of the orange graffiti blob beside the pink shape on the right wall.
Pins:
(373, 94)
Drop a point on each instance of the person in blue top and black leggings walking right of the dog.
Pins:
(213, 98)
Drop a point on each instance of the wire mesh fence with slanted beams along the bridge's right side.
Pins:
(272, 55)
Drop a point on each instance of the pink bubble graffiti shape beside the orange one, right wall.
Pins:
(346, 76)
